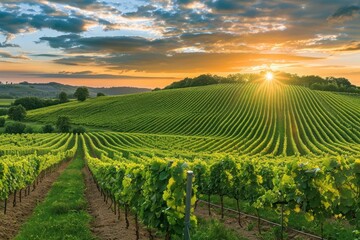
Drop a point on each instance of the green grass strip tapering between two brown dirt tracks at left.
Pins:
(63, 213)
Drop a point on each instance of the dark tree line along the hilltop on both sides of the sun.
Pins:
(312, 81)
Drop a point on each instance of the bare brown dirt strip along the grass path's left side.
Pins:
(11, 222)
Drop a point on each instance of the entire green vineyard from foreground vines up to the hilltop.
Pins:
(285, 153)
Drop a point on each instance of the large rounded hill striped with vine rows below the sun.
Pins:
(265, 118)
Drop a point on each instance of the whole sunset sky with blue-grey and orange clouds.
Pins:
(155, 42)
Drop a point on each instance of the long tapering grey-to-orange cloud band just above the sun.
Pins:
(180, 62)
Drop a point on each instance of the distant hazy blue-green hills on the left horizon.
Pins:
(52, 90)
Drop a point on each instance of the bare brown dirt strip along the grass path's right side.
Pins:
(106, 225)
